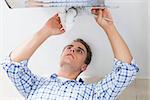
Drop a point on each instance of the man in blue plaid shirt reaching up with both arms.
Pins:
(74, 60)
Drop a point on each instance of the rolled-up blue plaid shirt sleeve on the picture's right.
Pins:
(115, 82)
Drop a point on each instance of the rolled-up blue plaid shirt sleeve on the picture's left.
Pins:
(20, 75)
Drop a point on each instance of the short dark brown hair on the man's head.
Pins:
(89, 52)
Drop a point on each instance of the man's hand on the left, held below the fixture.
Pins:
(53, 26)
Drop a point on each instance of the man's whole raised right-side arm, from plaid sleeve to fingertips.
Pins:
(124, 67)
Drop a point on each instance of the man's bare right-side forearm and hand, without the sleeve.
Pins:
(120, 48)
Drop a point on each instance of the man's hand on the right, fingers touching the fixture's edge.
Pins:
(103, 17)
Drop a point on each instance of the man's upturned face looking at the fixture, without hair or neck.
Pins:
(74, 56)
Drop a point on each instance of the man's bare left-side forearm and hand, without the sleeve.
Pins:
(52, 27)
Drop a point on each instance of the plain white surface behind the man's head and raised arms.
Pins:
(130, 18)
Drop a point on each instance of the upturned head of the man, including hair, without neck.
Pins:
(76, 56)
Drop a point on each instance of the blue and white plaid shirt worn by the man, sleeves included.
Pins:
(33, 87)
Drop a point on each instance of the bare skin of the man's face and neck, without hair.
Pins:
(72, 60)
